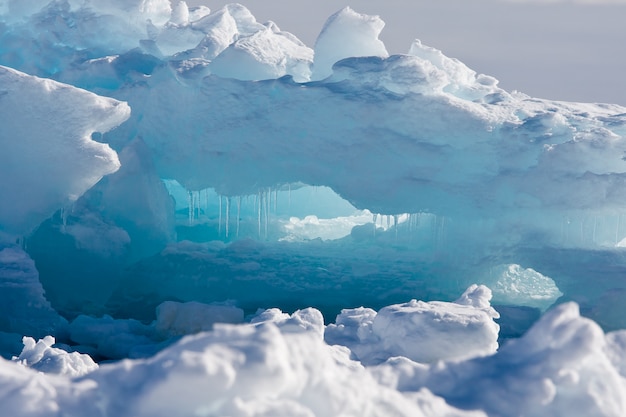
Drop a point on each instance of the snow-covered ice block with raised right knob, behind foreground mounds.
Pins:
(422, 331)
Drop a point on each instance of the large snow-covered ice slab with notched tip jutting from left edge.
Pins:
(48, 157)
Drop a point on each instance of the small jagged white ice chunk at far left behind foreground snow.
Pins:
(45, 358)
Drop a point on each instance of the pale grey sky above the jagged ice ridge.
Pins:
(573, 50)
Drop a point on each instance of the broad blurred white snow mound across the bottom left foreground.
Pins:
(246, 370)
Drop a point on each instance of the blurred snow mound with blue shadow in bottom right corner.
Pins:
(562, 366)
